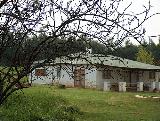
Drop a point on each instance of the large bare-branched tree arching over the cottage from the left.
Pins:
(20, 19)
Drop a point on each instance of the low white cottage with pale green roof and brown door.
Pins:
(92, 71)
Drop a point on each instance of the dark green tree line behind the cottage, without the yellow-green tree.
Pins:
(64, 46)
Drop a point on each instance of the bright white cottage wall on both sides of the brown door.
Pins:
(66, 76)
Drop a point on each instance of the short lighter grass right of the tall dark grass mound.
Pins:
(114, 106)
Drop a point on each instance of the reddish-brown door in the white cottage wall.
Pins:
(79, 77)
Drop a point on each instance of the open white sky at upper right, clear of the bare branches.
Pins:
(152, 25)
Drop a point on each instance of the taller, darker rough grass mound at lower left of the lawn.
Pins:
(37, 105)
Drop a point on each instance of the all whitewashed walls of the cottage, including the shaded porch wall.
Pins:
(93, 76)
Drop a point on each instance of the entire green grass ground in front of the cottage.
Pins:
(94, 105)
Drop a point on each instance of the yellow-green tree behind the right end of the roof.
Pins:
(144, 56)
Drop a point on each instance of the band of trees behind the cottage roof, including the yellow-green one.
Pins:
(143, 53)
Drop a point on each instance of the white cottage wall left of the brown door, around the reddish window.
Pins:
(51, 76)
